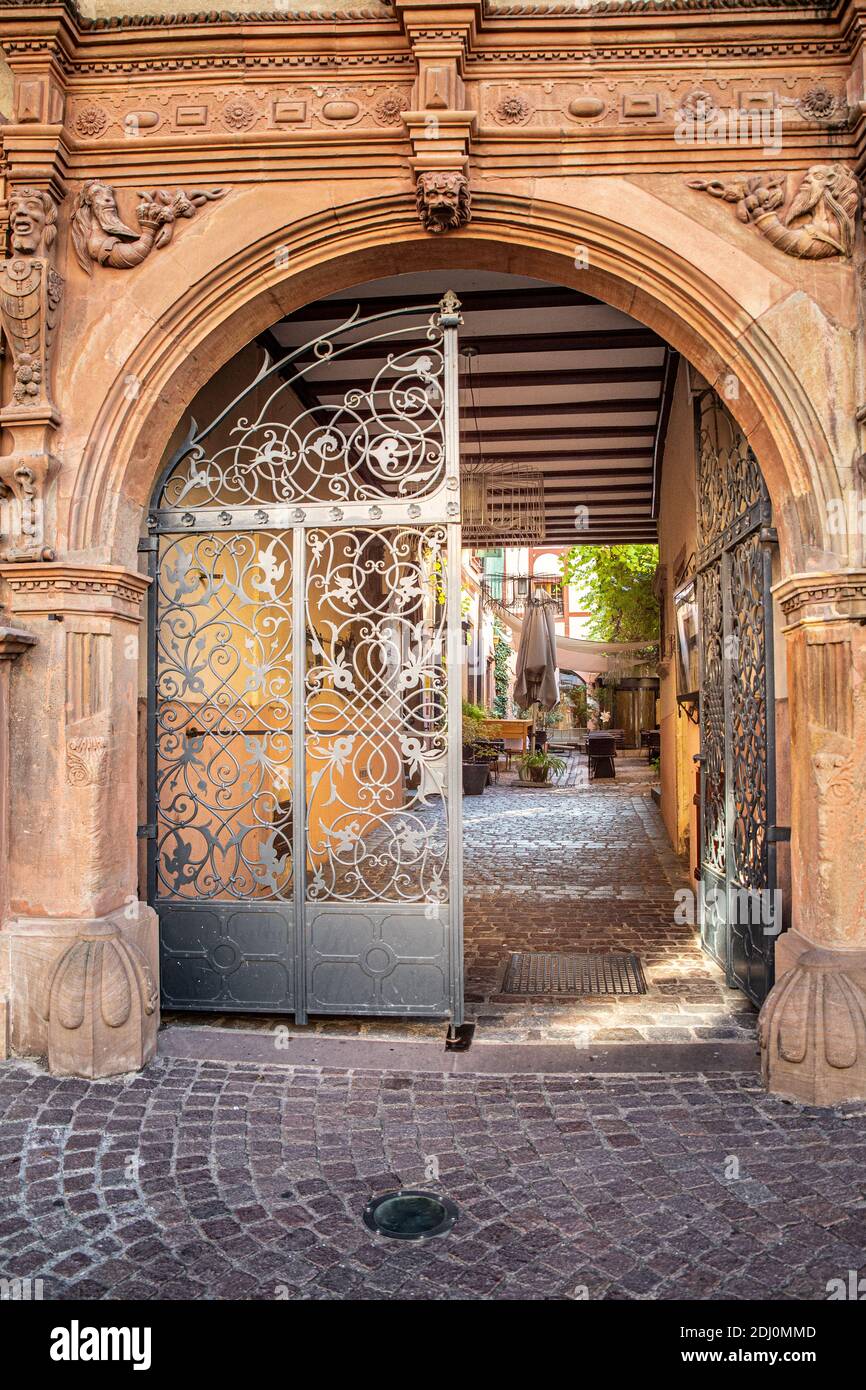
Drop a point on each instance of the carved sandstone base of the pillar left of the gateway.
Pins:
(83, 992)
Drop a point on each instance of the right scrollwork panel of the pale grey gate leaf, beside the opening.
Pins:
(377, 768)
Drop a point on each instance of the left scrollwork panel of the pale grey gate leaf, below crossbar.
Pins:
(222, 769)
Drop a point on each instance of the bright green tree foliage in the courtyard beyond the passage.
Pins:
(615, 584)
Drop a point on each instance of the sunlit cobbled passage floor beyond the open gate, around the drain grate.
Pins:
(587, 867)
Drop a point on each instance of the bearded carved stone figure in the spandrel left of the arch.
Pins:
(102, 237)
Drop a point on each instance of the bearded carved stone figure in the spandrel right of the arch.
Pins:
(821, 218)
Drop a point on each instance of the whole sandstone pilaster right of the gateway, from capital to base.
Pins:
(812, 1027)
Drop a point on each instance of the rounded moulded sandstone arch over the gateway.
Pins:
(629, 268)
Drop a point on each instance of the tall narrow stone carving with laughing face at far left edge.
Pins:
(30, 301)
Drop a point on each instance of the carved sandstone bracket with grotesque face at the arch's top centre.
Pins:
(440, 124)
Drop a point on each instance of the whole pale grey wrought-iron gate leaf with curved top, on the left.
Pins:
(304, 792)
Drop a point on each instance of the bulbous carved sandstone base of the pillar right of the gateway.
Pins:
(812, 1027)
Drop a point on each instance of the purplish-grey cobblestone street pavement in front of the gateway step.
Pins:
(209, 1181)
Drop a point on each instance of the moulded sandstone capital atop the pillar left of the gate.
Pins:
(40, 590)
